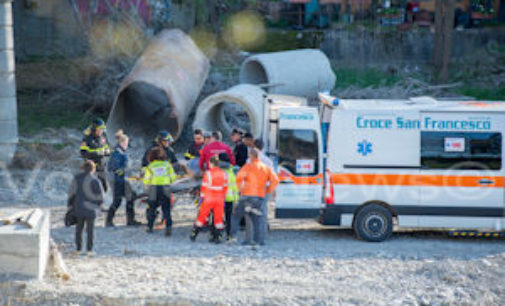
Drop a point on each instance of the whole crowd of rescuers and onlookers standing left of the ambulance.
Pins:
(235, 183)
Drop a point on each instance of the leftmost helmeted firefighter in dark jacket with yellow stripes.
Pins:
(94, 147)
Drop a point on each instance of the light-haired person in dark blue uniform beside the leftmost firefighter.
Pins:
(117, 166)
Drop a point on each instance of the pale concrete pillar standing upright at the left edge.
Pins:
(8, 106)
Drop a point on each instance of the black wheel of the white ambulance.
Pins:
(373, 223)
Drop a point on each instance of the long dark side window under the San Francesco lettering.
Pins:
(461, 150)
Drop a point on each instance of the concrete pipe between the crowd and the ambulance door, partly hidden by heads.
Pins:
(241, 105)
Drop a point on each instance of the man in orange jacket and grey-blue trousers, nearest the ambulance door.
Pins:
(254, 180)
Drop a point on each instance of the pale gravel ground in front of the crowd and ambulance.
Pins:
(302, 263)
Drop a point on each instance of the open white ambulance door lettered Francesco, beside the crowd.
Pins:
(294, 142)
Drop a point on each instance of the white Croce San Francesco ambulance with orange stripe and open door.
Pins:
(376, 165)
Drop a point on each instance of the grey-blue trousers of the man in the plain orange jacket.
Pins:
(252, 220)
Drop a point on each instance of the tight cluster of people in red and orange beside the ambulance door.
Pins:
(234, 186)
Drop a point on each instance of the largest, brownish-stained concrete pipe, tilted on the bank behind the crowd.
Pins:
(162, 87)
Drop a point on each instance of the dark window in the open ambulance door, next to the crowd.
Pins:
(299, 151)
